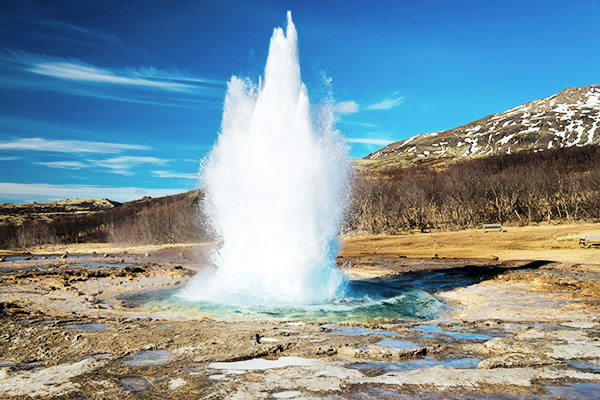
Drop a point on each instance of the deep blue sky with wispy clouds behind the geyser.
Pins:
(123, 99)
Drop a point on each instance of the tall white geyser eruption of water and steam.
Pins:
(276, 188)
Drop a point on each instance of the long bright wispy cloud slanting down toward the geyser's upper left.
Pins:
(178, 89)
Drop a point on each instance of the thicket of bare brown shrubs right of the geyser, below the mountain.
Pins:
(555, 186)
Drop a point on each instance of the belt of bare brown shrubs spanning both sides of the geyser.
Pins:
(561, 185)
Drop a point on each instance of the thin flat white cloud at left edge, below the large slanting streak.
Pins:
(68, 146)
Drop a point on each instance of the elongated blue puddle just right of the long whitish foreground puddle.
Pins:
(379, 368)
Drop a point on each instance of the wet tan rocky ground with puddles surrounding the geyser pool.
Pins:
(511, 330)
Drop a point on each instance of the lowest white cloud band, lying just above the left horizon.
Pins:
(45, 192)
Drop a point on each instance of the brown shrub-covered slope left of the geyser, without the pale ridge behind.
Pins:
(170, 219)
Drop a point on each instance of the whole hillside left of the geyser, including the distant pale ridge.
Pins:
(169, 219)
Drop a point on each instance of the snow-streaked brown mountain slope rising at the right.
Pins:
(569, 118)
